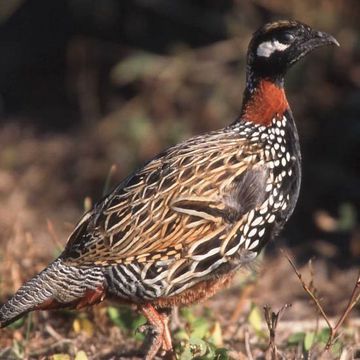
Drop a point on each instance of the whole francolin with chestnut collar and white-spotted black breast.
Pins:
(177, 229)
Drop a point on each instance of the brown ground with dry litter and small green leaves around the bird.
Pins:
(39, 209)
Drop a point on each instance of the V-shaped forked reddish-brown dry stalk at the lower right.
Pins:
(354, 299)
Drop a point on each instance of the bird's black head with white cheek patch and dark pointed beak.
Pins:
(278, 45)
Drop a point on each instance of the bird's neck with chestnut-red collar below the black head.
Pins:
(264, 99)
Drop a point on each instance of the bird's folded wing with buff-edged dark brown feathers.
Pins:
(192, 192)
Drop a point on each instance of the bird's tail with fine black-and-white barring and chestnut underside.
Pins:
(57, 286)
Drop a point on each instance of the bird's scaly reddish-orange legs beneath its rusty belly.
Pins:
(159, 323)
